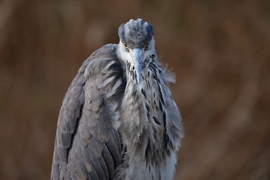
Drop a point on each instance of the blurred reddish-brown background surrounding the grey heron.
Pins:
(219, 50)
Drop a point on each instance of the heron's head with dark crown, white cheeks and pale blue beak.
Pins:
(136, 43)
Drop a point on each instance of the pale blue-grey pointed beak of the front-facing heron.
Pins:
(137, 57)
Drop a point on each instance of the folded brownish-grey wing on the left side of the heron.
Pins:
(87, 146)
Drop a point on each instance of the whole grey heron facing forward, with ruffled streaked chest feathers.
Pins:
(118, 119)
